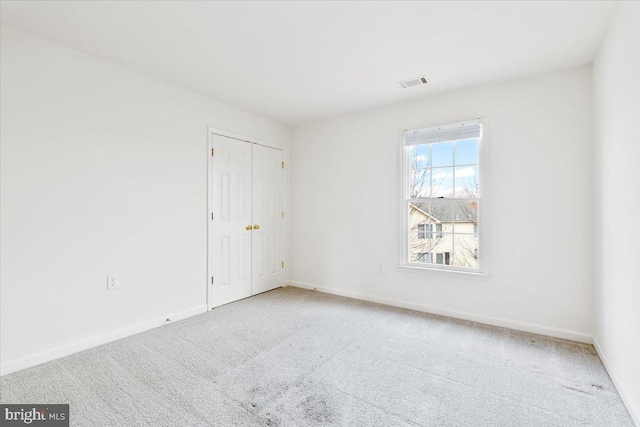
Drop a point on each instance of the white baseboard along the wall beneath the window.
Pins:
(494, 321)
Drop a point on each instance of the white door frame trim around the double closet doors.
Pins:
(219, 132)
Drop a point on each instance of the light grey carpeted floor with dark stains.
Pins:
(293, 357)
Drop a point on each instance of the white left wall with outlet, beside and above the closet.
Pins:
(103, 171)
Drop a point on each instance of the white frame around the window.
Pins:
(483, 257)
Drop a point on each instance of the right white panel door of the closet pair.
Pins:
(267, 214)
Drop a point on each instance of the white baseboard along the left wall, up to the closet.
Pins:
(65, 350)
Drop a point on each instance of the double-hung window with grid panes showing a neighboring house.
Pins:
(442, 196)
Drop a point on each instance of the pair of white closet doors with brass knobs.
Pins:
(246, 242)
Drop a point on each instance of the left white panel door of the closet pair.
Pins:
(232, 227)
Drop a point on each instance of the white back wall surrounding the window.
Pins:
(345, 213)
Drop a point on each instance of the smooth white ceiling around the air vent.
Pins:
(300, 61)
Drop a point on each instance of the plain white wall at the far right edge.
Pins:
(617, 202)
